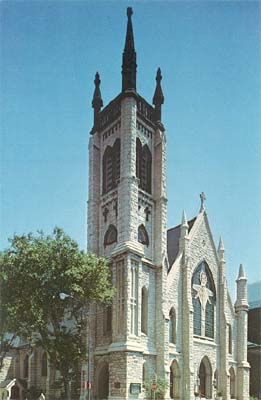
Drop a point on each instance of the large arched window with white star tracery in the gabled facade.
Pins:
(203, 298)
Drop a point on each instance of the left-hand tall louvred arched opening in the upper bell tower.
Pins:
(111, 166)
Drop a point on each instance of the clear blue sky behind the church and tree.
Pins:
(210, 57)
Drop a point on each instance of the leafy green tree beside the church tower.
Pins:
(47, 285)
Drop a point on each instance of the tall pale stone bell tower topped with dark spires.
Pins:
(127, 224)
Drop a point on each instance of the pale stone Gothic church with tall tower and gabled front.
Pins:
(172, 319)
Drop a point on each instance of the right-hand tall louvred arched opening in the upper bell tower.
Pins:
(143, 166)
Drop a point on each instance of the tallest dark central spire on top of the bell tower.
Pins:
(129, 65)
